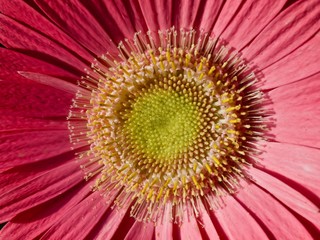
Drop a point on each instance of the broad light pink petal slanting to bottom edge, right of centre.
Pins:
(237, 223)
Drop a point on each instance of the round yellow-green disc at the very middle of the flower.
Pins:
(163, 124)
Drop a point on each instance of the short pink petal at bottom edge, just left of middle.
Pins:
(141, 230)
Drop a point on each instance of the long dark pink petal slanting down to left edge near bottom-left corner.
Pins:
(39, 190)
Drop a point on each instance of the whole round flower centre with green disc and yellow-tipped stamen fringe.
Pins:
(169, 121)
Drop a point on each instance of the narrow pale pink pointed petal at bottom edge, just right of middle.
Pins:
(189, 228)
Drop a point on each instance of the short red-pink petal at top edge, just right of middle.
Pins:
(184, 13)
